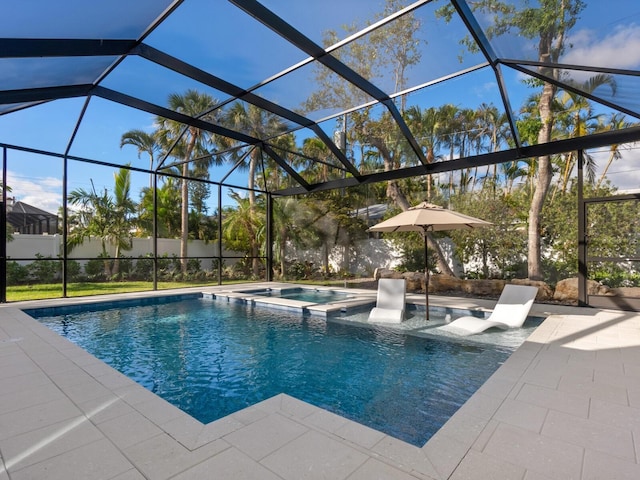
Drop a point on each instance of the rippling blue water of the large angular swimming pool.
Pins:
(212, 359)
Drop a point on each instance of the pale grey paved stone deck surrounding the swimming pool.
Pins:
(565, 405)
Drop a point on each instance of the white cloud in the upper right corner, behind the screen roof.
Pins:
(619, 49)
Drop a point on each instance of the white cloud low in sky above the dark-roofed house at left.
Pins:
(40, 192)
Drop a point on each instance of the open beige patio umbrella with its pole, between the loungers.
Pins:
(425, 218)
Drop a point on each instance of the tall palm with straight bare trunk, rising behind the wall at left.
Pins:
(189, 142)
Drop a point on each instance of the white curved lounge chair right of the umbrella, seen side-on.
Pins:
(510, 312)
